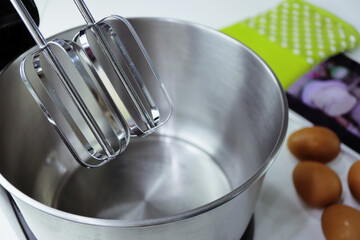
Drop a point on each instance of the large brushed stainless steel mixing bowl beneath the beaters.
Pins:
(198, 177)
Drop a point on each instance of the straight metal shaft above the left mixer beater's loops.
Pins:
(29, 23)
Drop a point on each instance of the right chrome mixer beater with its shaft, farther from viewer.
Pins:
(111, 36)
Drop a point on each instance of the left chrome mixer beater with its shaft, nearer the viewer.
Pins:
(62, 81)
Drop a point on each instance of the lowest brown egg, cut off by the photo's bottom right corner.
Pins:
(341, 222)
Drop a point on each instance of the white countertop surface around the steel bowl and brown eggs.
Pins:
(279, 213)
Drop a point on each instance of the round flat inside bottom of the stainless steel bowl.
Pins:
(155, 177)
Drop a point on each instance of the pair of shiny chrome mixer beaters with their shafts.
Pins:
(97, 90)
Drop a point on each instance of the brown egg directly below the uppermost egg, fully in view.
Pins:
(316, 184)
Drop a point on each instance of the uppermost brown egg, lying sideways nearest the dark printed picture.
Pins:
(315, 144)
